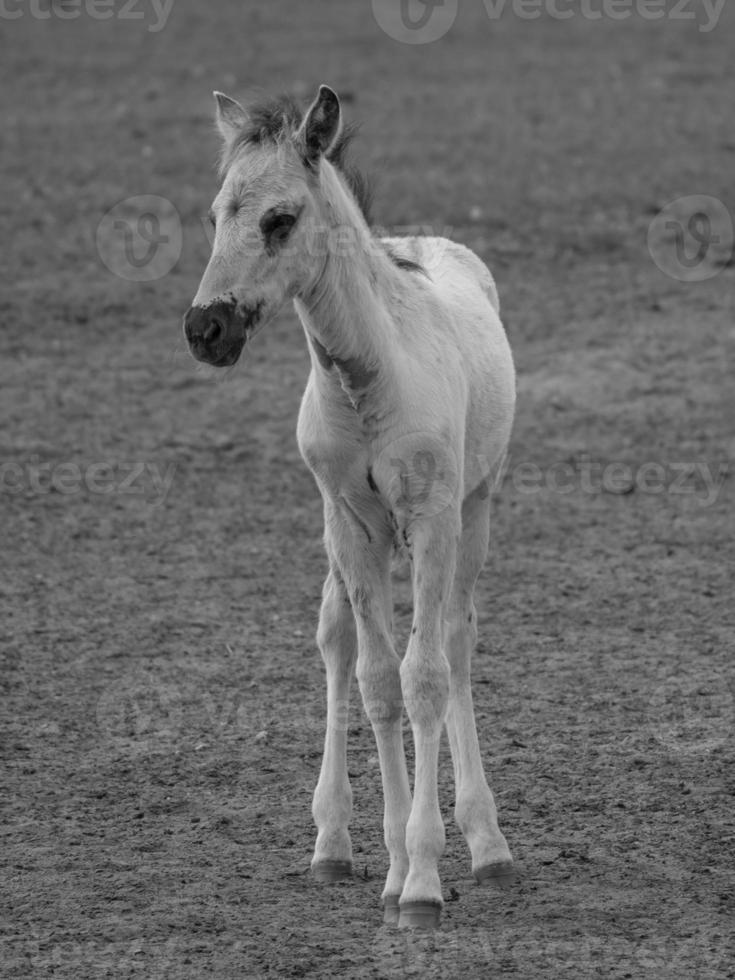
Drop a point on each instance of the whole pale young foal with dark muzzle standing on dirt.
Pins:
(405, 419)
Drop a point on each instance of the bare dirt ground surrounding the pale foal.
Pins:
(163, 699)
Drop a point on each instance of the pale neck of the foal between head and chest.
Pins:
(347, 312)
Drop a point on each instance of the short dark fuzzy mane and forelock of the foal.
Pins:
(276, 119)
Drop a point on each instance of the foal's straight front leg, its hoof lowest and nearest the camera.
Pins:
(425, 683)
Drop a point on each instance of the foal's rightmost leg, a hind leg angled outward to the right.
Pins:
(474, 810)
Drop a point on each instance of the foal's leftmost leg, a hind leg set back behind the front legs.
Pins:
(332, 806)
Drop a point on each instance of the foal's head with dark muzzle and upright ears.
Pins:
(266, 217)
